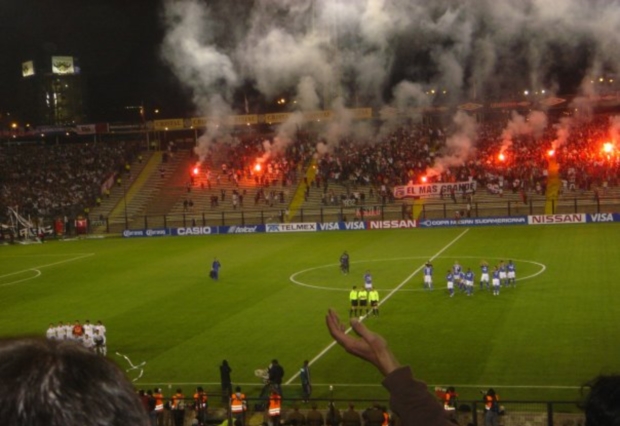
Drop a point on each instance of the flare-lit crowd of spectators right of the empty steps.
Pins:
(440, 153)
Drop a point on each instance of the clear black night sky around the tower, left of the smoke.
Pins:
(116, 41)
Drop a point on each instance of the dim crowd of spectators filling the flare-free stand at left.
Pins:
(60, 179)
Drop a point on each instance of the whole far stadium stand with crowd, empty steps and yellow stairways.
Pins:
(227, 186)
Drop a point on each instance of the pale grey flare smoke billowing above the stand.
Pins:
(374, 53)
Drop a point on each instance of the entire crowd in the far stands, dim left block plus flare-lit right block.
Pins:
(64, 179)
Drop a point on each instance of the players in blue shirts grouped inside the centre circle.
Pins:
(502, 275)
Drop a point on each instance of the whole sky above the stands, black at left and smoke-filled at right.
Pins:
(233, 55)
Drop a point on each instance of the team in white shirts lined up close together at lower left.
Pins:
(92, 336)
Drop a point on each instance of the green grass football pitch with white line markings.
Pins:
(541, 340)
